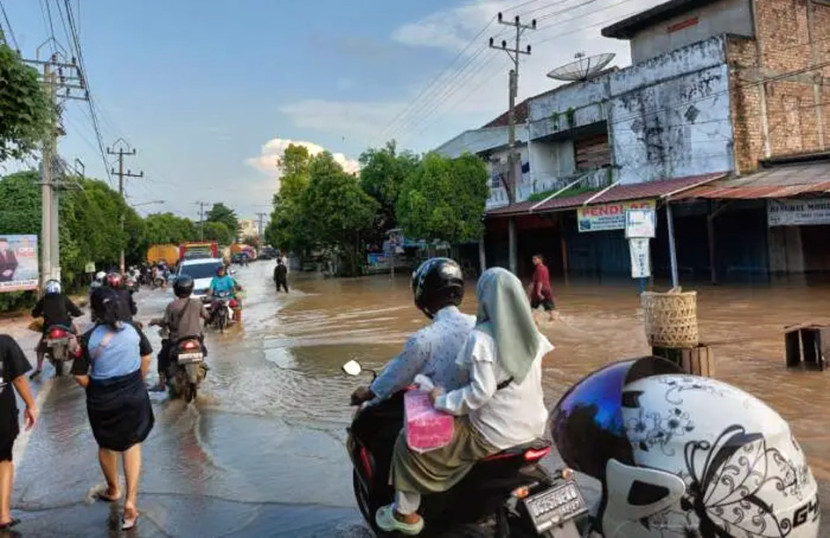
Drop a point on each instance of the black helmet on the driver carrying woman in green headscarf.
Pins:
(437, 283)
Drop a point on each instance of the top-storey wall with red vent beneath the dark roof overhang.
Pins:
(726, 17)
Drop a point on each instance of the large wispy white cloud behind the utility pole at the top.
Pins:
(469, 98)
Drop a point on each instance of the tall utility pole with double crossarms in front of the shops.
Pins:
(512, 177)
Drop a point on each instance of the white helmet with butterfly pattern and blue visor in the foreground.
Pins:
(685, 456)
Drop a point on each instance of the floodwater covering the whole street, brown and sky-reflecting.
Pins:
(261, 453)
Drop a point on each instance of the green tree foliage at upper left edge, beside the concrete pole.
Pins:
(27, 115)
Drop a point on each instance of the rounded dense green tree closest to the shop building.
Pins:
(444, 199)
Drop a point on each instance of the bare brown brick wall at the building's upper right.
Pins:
(782, 26)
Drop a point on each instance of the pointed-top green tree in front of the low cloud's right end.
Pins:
(337, 212)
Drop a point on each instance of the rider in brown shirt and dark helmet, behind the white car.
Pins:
(182, 318)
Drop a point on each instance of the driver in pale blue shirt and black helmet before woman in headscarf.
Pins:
(438, 288)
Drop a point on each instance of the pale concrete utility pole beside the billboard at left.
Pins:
(66, 76)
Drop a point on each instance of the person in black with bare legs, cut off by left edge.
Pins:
(13, 365)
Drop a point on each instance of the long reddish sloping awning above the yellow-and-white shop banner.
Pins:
(669, 188)
